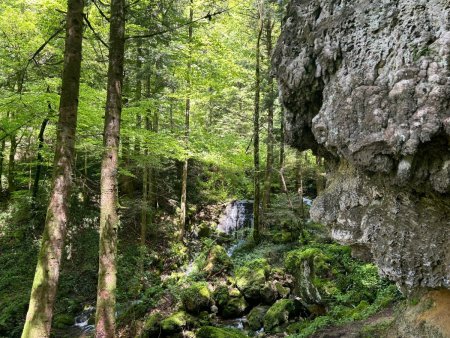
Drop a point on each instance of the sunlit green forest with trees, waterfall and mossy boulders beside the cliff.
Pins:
(146, 187)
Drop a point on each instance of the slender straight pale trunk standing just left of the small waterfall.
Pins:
(183, 206)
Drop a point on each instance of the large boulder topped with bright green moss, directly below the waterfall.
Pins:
(251, 278)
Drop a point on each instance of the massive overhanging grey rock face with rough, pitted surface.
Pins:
(366, 84)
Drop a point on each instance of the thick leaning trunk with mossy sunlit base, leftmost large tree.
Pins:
(43, 292)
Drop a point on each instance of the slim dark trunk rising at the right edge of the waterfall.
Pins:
(256, 199)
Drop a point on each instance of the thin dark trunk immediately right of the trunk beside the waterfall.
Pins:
(270, 110)
